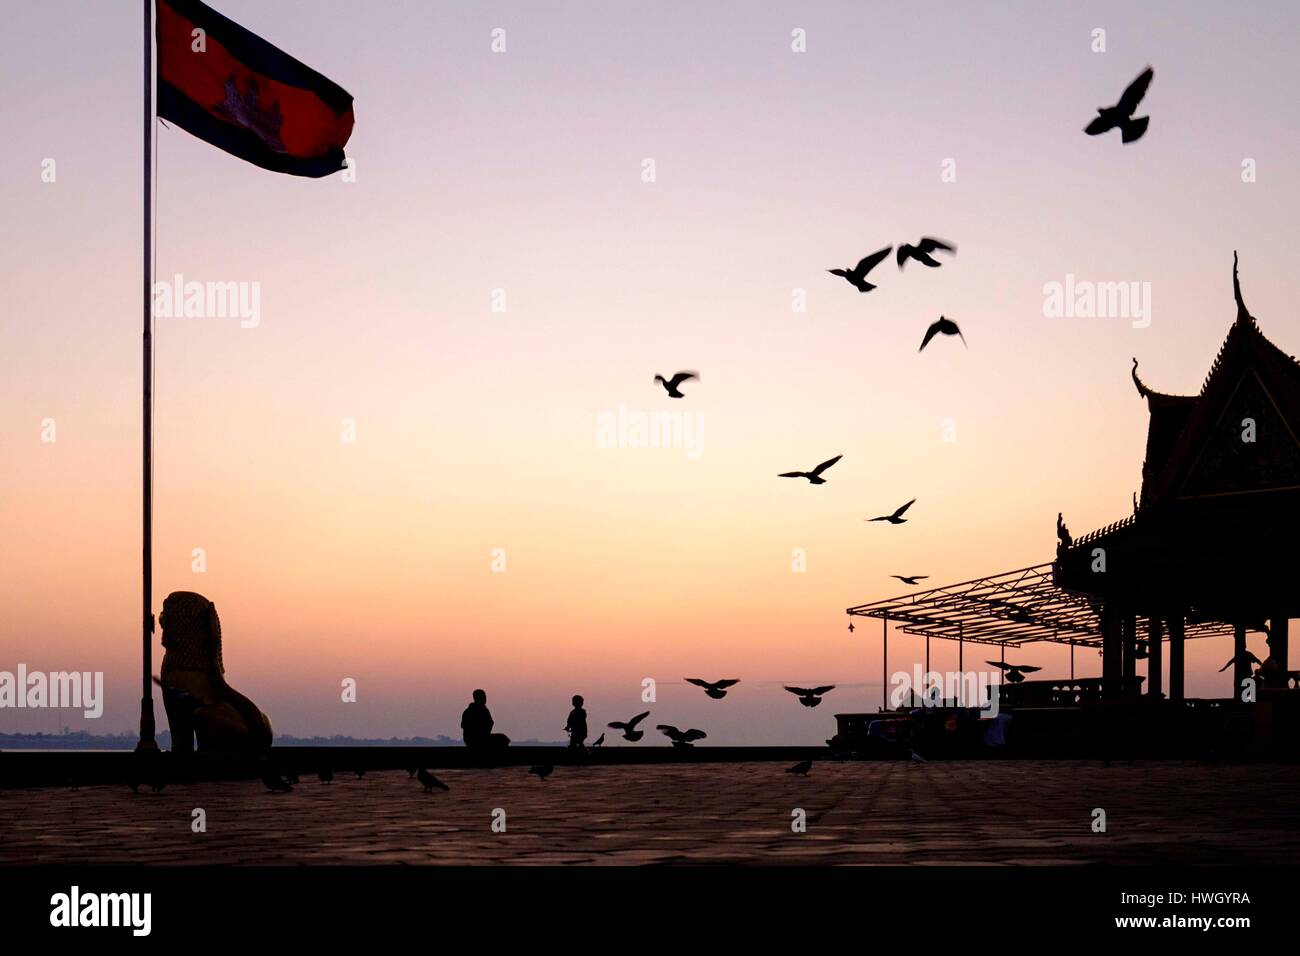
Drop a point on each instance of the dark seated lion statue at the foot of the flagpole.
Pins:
(200, 702)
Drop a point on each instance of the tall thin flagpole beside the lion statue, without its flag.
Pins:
(148, 725)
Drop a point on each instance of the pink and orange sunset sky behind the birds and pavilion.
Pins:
(476, 430)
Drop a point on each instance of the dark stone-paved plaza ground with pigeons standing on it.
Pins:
(995, 812)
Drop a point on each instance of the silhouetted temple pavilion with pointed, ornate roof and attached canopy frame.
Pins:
(1211, 548)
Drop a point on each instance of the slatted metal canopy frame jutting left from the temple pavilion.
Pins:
(1008, 609)
